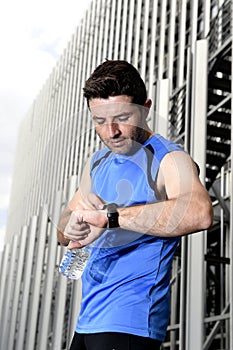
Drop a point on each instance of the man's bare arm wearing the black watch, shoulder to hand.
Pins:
(187, 208)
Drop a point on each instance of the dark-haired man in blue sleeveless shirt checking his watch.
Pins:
(136, 198)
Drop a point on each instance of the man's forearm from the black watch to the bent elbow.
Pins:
(170, 218)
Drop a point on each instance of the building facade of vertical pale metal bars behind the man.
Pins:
(183, 50)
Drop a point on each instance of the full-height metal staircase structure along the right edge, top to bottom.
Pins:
(218, 153)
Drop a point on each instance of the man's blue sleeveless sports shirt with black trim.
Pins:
(125, 286)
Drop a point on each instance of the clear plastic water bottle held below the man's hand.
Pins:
(74, 262)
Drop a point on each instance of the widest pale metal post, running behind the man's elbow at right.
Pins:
(196, 243)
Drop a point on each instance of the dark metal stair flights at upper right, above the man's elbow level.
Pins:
(219, 94)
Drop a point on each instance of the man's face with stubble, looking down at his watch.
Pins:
(120, 124)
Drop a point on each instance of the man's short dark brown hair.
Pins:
(114, 78)
